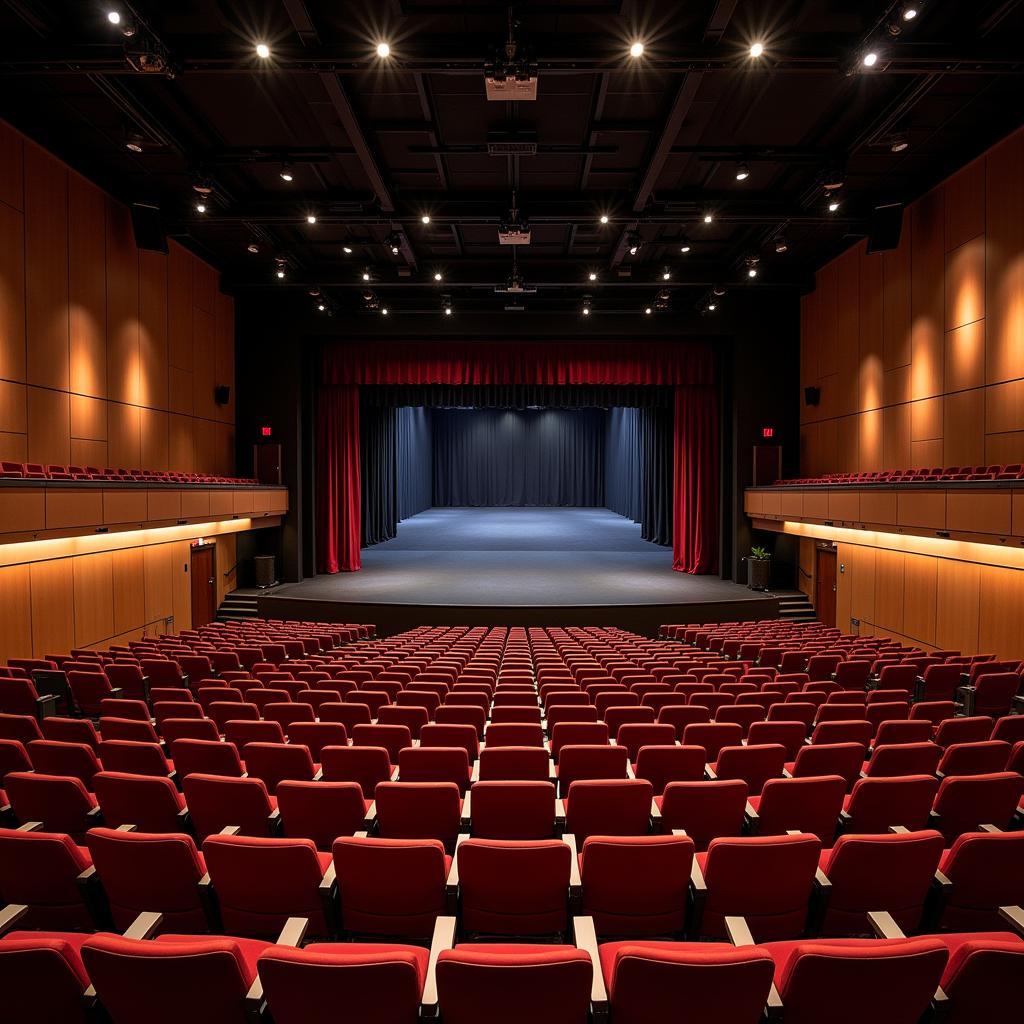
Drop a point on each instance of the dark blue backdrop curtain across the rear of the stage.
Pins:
(509, 457)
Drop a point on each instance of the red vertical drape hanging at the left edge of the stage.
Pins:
(338, 487)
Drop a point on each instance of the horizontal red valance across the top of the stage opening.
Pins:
(520, 363)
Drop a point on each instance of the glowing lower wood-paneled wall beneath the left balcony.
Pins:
(48, 608)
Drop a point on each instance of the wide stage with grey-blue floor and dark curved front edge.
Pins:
(575, 567)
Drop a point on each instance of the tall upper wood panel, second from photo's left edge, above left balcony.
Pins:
(47, 269)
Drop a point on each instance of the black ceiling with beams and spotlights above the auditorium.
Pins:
(376, 145)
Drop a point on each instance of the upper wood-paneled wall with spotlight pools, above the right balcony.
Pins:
(919, 353)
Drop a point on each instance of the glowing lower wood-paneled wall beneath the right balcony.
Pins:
(931, 603)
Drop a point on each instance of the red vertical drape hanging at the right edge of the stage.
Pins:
(695, 531)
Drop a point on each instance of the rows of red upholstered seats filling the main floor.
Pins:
(366, 834)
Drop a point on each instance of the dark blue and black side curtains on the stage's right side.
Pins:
(638, 484)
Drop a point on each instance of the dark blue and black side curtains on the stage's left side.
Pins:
(396, 458)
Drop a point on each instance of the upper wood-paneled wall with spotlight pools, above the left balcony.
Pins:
(109, 356)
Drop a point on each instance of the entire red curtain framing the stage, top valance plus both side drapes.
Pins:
(690, 367)
